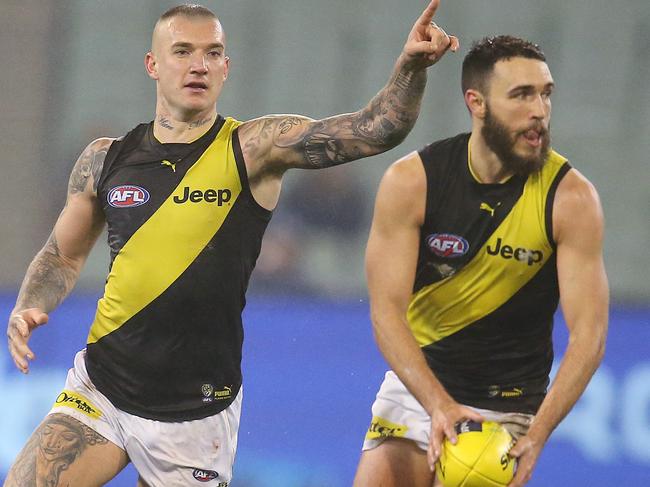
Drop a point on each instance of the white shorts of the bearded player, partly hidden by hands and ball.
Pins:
(397, 414)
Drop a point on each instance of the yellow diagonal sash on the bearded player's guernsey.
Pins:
(483, 284)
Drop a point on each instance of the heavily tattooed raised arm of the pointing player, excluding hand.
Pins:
(380, 126)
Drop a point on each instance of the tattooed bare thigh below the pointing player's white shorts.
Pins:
(51, 450)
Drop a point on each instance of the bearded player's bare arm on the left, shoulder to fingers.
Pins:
(391, 259)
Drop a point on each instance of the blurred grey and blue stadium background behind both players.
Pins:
(72, 71)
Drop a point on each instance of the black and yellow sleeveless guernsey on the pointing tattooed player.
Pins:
(184, 233)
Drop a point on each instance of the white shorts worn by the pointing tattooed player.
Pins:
(165, 454)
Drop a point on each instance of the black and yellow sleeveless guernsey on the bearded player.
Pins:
(486, 282)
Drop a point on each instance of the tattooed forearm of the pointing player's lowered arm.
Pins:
(49, 279)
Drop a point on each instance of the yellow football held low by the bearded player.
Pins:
(479, 458)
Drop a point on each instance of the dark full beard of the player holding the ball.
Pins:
(499, 139)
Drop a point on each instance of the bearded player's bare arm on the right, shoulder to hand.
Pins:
(584, 296)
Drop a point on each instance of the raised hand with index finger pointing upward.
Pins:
(427, 42)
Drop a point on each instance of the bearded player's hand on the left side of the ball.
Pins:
(443, 424)
